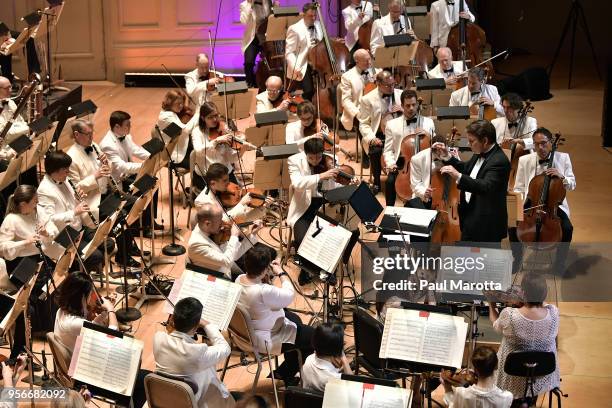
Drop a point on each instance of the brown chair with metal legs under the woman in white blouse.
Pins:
(241, 336)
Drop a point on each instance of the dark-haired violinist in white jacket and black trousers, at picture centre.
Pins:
(309, 175)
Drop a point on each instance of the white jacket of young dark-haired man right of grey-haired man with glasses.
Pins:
(120, 154)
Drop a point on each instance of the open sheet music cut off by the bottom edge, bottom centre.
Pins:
(343, 393)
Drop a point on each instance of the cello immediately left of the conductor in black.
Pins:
(445, 198)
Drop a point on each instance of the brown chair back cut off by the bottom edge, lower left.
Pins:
(166, 391)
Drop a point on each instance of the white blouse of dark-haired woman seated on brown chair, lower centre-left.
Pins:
(265, 304)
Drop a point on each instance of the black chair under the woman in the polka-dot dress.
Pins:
(530, 365)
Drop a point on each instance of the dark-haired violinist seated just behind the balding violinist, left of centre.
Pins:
(217, 180)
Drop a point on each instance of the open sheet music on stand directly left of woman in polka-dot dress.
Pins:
(423, 337)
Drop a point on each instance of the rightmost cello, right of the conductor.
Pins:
(541, 222)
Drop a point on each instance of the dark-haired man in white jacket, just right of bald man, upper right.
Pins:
(477, 92)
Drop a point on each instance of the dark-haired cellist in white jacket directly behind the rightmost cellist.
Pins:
(506, 126)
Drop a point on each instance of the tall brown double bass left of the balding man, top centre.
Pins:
(328, 59)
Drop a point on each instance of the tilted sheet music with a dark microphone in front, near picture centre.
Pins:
(327, 247)
